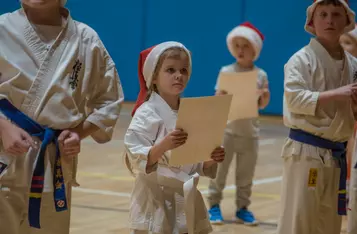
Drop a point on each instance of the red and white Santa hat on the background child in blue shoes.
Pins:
(249, 32)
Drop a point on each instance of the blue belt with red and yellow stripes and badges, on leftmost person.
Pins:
(47, 136)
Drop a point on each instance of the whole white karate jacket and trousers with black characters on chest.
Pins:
(59, 77)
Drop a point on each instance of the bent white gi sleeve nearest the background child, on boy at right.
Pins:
(299, 98)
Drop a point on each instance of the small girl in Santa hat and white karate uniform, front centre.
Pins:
(165, 199)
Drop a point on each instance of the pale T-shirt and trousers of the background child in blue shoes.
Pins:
(240, 140)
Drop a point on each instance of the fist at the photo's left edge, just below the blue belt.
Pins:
(15, 140)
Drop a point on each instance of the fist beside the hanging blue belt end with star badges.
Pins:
(70, 142)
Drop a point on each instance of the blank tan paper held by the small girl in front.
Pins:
(204, 119)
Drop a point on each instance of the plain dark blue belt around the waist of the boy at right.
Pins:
(338, 152)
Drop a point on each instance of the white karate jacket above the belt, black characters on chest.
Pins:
(63, 84)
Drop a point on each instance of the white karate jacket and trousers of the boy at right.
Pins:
(311, 175)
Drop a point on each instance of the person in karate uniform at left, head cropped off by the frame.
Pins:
(61, 82)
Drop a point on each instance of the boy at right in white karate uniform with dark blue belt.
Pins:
(319, 108)
